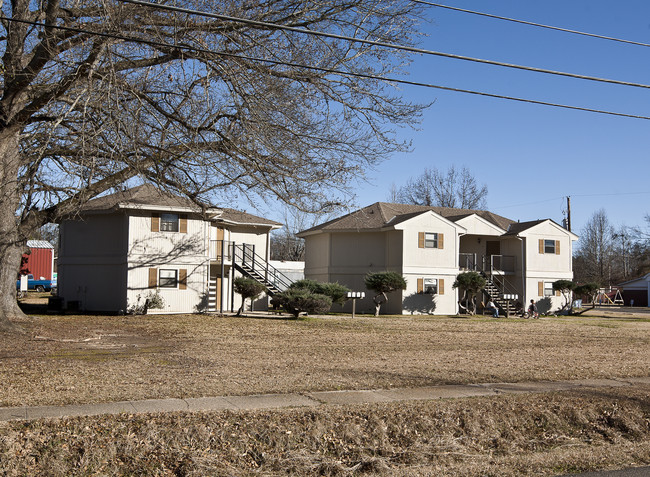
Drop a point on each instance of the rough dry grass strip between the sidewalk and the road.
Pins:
(544, 434)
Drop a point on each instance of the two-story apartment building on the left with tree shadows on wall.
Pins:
(124, 247)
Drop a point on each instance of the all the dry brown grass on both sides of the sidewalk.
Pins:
(80, 359)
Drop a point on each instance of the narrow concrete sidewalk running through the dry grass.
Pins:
(308, 399)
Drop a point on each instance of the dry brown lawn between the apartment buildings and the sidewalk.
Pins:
(82, 359)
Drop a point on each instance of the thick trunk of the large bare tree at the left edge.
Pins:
(11, 241)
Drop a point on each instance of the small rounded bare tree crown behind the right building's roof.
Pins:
(455, 189)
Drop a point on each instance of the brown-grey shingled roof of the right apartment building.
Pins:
(382, 214)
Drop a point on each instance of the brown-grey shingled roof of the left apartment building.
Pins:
(150, 195)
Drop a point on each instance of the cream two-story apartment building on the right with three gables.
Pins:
(430, 246)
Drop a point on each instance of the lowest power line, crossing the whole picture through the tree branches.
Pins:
(325, 70)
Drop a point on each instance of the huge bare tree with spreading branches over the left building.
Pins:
(99, 93)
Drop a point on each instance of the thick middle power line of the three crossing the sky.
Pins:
(382, 44)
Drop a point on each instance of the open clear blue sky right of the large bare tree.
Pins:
(531, 157)
